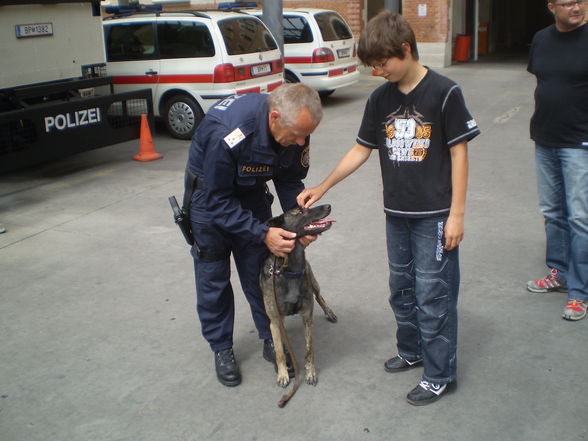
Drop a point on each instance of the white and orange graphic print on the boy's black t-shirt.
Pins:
(408, 137)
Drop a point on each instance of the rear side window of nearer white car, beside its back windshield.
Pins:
(184, 39)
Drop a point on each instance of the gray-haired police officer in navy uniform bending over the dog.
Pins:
(243, 142)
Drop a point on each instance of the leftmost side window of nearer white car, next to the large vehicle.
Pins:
(133, 41)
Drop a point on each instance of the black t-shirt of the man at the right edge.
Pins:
(559, 60)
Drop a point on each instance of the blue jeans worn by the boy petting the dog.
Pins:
(424, 286)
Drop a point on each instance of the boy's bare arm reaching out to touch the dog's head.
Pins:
(352, 160)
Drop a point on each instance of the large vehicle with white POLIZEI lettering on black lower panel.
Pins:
(56, 98)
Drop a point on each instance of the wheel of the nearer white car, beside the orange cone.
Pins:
(182, 115)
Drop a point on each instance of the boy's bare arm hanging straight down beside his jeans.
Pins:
(454, 228)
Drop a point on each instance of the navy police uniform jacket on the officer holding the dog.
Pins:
(234, 154)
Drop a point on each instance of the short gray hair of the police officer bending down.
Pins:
(289, 99)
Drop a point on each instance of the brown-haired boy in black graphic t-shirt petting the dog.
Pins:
(419, 123)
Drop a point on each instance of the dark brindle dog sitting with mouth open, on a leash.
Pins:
(289, 287)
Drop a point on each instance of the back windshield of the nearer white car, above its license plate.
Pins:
(246, 36)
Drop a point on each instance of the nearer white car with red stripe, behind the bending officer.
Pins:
(190, 60)
